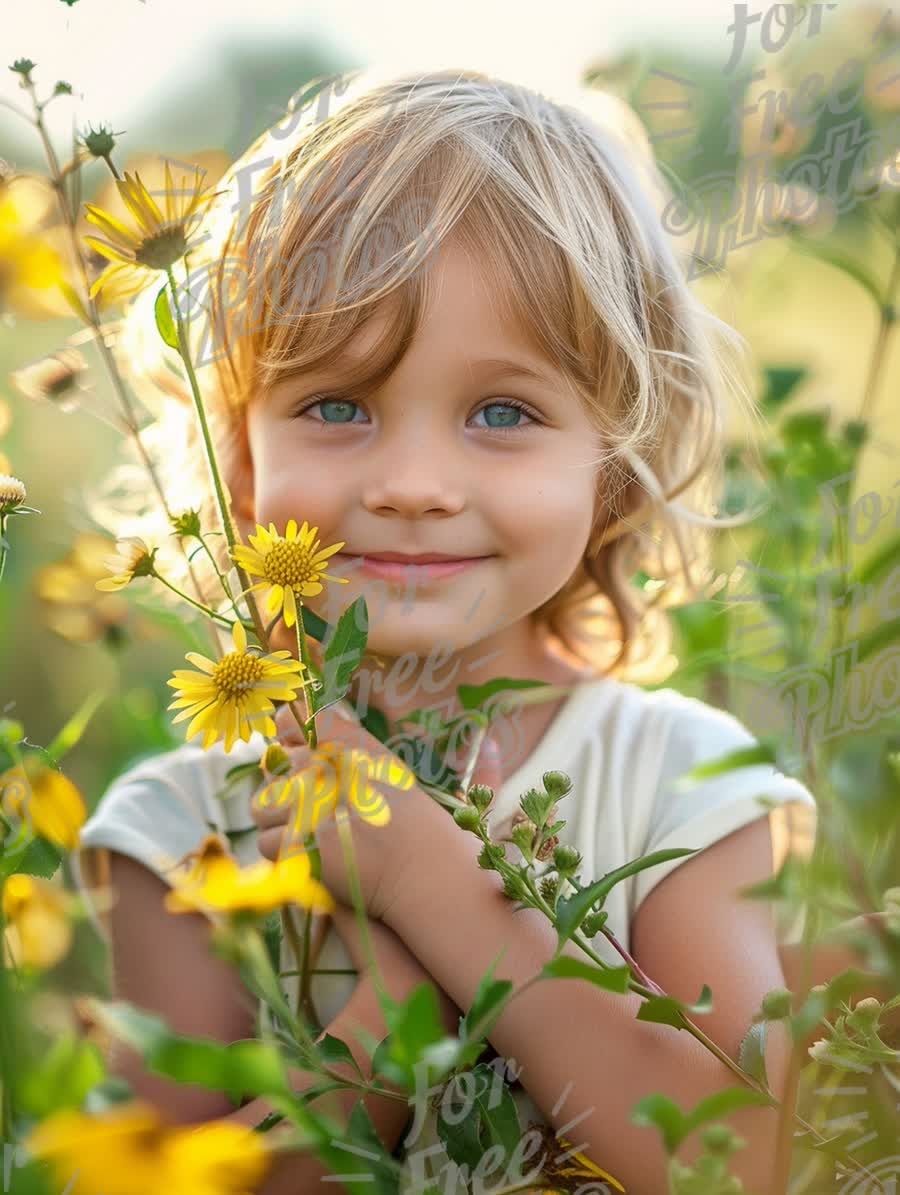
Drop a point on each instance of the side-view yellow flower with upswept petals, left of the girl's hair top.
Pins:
(160, 240)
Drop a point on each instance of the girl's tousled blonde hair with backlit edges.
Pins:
(333, 211)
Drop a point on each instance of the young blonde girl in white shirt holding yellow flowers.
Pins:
(445, 321)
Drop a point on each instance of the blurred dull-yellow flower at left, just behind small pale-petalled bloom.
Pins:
(74, 608)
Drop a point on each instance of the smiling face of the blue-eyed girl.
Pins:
(461, 452)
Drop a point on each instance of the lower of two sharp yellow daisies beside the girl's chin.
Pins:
(235, 697)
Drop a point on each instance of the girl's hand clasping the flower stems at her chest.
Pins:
(384, 855)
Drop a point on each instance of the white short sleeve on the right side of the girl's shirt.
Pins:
(690, 733)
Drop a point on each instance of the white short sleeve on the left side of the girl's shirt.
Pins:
(156, 812)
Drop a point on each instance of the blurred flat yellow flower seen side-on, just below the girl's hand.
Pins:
(216, 884)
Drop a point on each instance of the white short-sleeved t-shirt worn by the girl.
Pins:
(622, 746)
